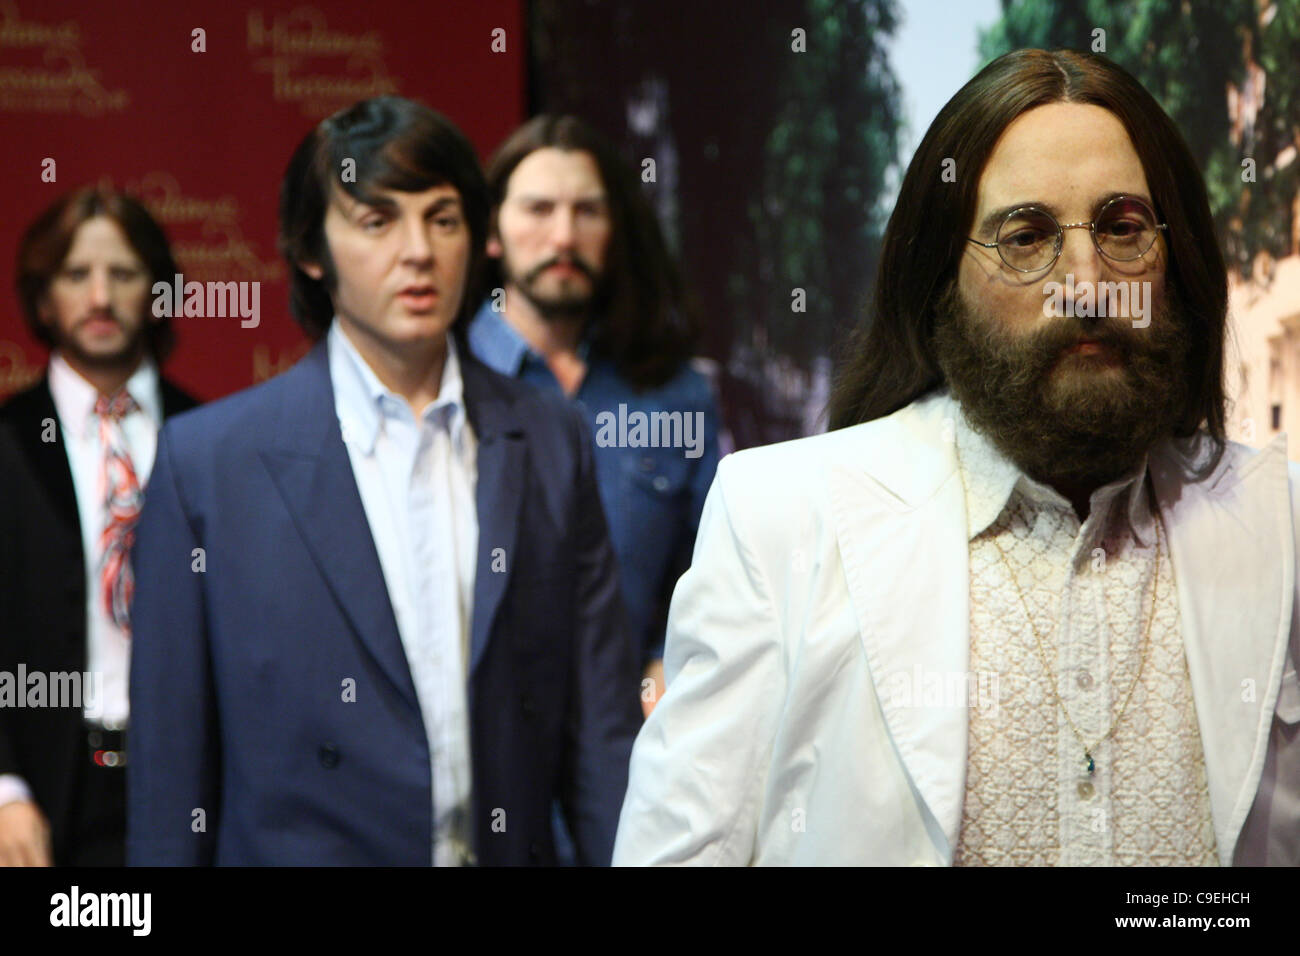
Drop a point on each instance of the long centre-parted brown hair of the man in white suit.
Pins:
(891, 360)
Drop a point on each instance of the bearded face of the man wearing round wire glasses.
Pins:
(1055, 405)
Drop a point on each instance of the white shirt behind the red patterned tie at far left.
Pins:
(105, 700)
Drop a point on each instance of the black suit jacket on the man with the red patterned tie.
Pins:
(44, 596)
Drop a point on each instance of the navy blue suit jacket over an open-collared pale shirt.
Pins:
(239, 671)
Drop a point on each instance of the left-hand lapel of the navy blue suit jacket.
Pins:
(314, 475)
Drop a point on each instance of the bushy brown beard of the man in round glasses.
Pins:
(1067, 418)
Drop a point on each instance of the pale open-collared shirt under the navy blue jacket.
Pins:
(417, 478)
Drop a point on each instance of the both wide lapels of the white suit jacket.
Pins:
(1233, 557)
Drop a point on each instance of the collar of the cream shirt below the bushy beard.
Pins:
(991, 478)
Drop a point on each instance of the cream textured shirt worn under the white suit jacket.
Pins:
(1030, 801)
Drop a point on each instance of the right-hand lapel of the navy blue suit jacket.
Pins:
(499, 495)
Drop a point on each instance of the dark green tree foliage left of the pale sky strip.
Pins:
(818, 219)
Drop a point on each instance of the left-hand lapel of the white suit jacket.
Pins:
(894, 512)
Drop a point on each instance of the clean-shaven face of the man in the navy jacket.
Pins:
(400, 263)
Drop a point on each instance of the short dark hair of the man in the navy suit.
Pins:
(397, 145)
